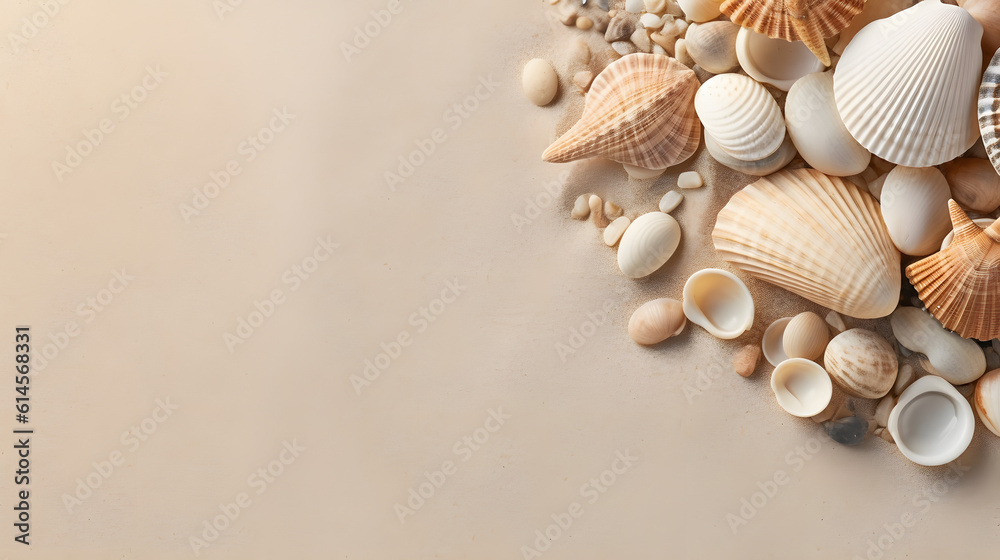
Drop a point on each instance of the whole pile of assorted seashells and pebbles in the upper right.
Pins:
(851, 175)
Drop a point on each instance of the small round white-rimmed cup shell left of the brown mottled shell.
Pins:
(802, 387)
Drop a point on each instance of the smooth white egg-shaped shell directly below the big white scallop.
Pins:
(915, 209)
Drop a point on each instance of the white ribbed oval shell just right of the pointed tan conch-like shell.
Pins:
(741, 116)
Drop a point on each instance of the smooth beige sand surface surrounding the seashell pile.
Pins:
(343, 458)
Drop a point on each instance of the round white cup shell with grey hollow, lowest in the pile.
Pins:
(932, 423)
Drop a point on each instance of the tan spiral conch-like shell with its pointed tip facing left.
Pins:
(639, 111)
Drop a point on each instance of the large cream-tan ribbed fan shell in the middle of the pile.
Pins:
(820, 237)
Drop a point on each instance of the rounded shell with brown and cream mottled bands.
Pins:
(862, 363)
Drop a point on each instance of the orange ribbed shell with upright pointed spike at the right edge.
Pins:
(961, 285)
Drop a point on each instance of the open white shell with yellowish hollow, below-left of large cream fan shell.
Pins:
(719, 302)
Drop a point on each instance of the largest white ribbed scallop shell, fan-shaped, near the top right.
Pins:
(906, 85)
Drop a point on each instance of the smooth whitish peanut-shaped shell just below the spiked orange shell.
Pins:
(957, 359)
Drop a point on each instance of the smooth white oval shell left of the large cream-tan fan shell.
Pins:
(647, 244)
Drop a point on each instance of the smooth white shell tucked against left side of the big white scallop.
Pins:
(817, 130)
